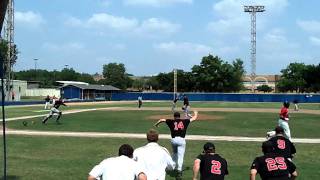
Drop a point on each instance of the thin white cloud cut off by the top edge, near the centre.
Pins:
(156, 3)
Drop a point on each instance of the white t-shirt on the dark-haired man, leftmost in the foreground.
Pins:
(114, 168)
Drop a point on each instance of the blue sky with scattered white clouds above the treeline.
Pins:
(152, 36)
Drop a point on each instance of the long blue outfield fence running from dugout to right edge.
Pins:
(301, 98)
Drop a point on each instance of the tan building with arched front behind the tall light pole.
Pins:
(269, 80)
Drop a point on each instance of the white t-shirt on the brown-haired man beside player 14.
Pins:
(154, 159)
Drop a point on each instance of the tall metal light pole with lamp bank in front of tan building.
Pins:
(253, 10)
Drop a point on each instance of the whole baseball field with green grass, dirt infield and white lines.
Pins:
(91, 132)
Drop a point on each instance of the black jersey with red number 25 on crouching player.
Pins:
(273, 166)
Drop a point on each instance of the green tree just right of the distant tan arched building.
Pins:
(292, 78)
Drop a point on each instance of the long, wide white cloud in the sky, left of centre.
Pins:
(104, 22)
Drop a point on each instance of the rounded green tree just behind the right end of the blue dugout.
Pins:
(115, 75)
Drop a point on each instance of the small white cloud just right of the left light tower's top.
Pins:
(29, 19)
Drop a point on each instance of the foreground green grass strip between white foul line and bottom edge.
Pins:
(54, 158)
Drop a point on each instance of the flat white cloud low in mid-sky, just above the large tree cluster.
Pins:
(183, 48)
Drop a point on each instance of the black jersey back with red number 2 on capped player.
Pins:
(212, 167)
